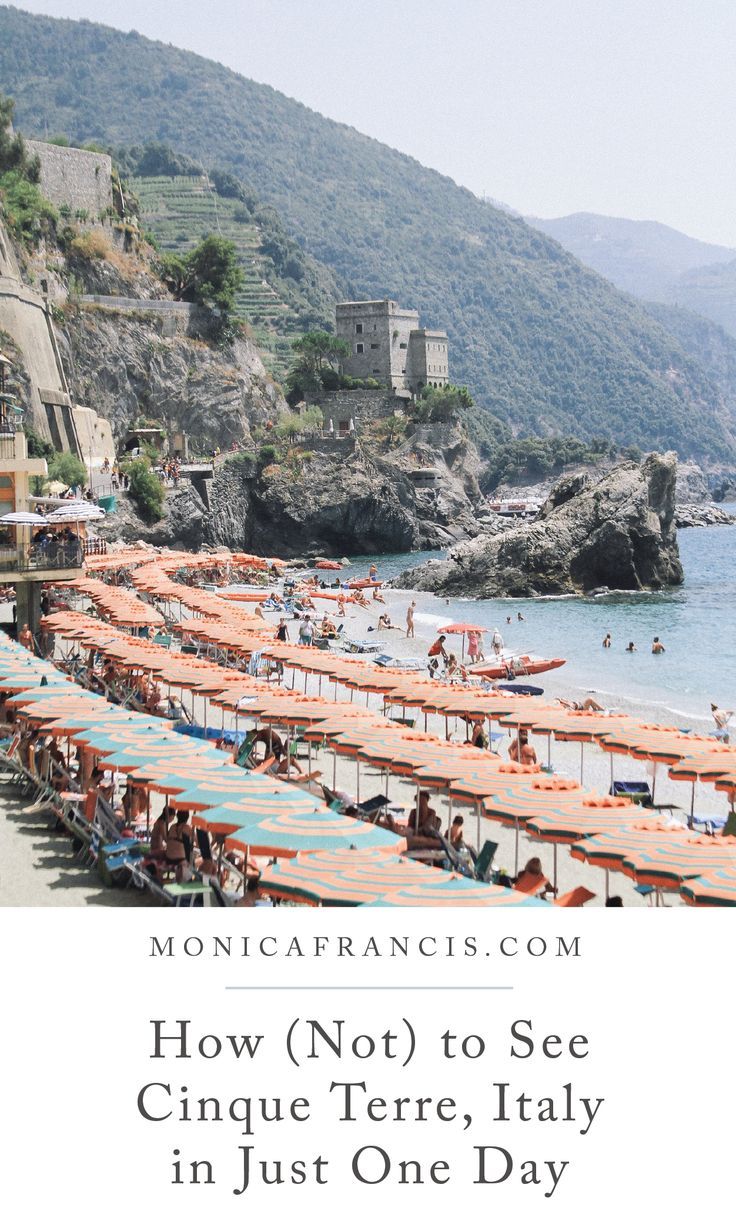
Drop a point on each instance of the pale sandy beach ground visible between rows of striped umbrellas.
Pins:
(39, 869)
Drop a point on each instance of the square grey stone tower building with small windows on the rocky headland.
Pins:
(388, 344)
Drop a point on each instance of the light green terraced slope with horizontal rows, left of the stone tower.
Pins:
(180, 211)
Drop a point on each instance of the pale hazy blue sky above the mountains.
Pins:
(620, 107)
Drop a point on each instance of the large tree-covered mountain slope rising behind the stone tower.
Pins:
(546, 346)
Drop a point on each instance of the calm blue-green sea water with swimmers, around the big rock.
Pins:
(697, 624)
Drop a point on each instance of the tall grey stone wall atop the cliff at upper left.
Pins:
(78, 179)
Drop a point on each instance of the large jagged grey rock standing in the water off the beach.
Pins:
(614, 534)
